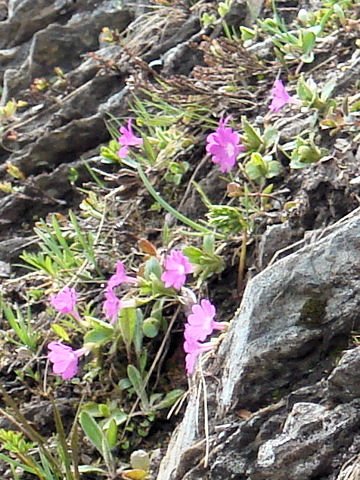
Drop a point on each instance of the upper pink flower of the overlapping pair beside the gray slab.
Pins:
(201, 321)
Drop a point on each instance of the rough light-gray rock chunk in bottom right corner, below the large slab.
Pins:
(312, 434)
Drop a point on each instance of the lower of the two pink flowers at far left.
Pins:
(65, 359)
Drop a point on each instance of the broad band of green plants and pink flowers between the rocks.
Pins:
(114, 309)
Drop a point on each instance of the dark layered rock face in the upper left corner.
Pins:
(63, 122)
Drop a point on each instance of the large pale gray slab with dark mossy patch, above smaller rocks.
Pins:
(284, 318)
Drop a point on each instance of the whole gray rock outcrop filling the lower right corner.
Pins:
(293, 317)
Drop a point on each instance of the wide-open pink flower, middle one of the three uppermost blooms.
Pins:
(224, 145)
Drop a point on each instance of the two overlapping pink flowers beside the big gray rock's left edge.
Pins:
(200, 324)
